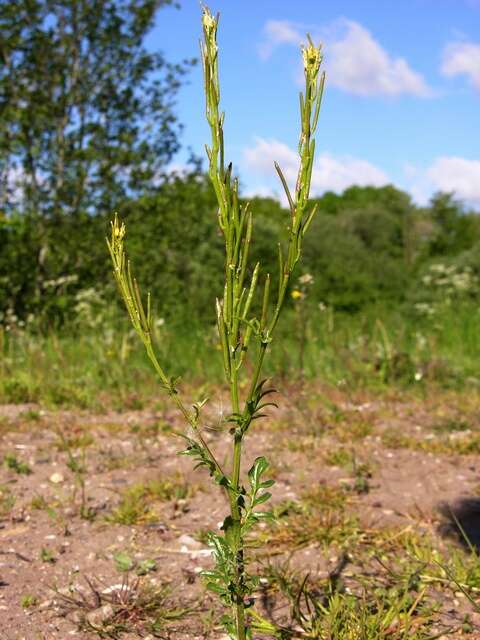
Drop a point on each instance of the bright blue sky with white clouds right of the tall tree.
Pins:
(402, 98)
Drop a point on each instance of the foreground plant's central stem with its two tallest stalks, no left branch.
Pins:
(233, 310)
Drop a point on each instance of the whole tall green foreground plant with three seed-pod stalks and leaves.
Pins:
(244, 334)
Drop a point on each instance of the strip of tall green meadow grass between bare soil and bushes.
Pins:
(346, 353)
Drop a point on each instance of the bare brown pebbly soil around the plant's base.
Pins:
(49, 554)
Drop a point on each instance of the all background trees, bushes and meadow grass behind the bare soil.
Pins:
(88, 126)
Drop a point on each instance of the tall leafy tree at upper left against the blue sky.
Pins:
(86, 112)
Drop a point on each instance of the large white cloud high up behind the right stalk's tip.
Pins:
(355, 61)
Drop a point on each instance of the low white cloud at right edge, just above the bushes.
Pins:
(452, 173)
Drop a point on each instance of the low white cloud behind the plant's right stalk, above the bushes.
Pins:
(329, 173)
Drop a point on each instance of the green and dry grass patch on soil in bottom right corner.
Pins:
(388, 583)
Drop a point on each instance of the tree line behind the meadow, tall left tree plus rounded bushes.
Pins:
(88, 126)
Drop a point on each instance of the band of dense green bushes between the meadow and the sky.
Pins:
(54, 273)
